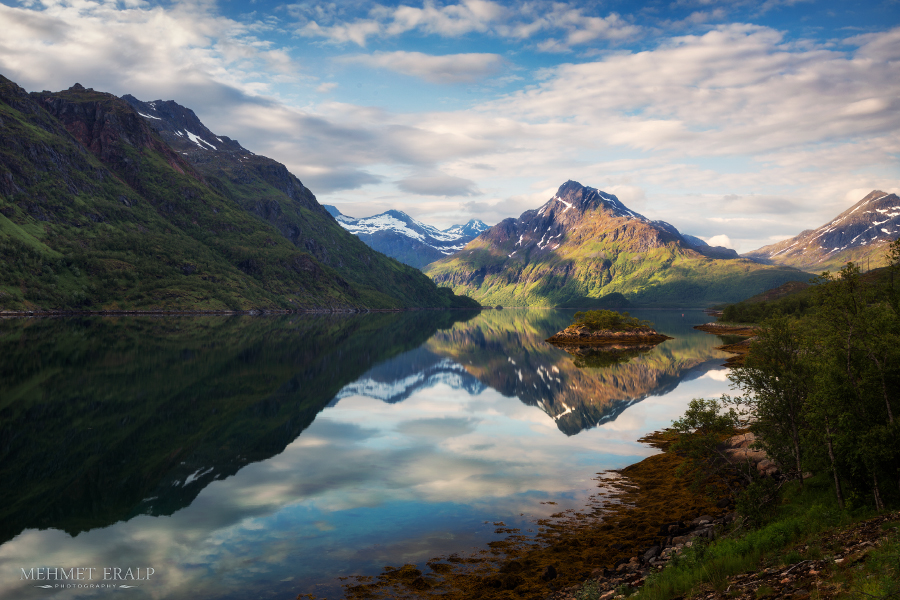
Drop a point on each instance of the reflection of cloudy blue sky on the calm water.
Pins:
(367, 484)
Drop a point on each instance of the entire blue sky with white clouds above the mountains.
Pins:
(742, 122)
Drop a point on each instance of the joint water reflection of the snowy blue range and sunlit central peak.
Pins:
(506, 351)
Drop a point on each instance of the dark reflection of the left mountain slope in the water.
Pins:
(105, 419)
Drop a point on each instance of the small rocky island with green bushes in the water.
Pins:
(605, 327)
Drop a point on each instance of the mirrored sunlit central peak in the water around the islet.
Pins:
(509, 354)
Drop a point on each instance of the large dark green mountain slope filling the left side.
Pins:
(99, 211)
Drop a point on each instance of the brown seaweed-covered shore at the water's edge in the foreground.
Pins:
(640, 516)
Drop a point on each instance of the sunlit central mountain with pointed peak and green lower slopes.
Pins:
(583, 245)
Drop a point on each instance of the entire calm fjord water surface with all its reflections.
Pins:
(263, 457)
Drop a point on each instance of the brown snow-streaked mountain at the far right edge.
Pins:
(860, 234)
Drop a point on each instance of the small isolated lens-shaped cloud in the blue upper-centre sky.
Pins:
(449, 68)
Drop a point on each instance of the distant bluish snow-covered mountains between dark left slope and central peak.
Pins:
(412, 242)
